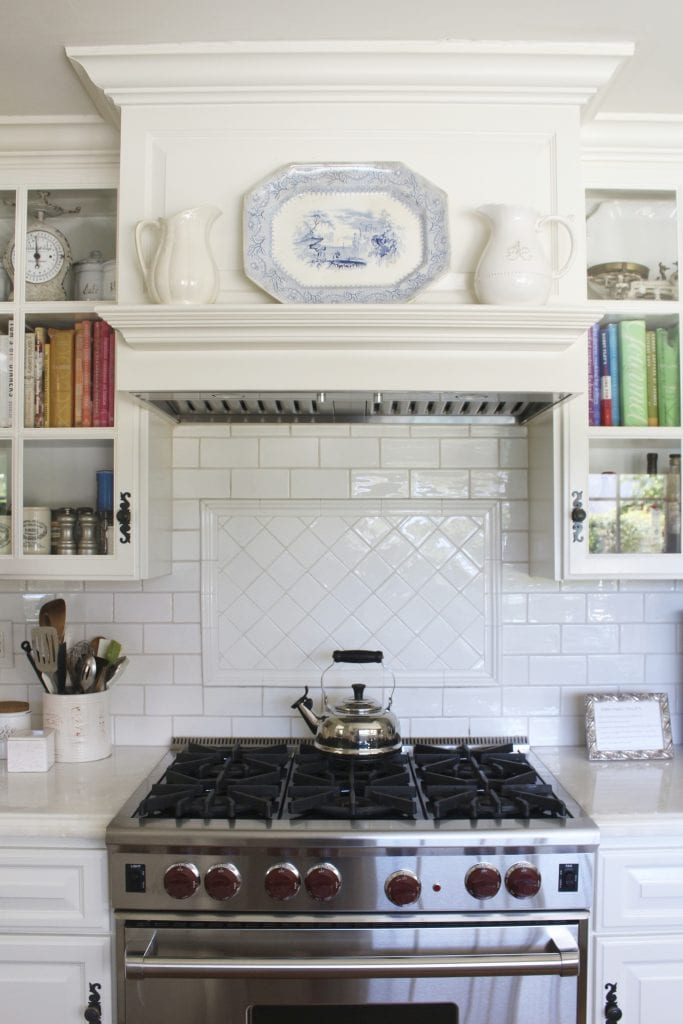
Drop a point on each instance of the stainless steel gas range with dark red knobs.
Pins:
(267, 883)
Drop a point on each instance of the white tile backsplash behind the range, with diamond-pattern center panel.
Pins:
(527, 673)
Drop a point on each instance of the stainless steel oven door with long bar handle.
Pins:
(341, 972)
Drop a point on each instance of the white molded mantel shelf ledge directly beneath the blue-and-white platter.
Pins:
(320, 328)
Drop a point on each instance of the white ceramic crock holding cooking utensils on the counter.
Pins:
(81, 723)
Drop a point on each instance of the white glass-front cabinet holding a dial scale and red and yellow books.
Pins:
(74, 455)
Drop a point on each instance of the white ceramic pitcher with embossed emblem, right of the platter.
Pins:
(515, 269)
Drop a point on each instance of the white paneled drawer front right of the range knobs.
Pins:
(641, 889)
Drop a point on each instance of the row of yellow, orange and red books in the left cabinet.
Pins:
(69, 376)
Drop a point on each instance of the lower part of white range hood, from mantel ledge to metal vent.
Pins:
(274, 362)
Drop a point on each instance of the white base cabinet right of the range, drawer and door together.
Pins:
(638, 932)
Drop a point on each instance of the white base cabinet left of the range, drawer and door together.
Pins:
(56, 936)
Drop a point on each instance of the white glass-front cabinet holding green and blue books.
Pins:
(624, 439)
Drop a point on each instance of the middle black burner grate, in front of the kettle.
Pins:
(330, 788)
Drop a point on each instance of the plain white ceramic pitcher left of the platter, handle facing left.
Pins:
(182, 269)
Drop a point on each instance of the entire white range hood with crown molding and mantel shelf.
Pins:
(485, 121)
